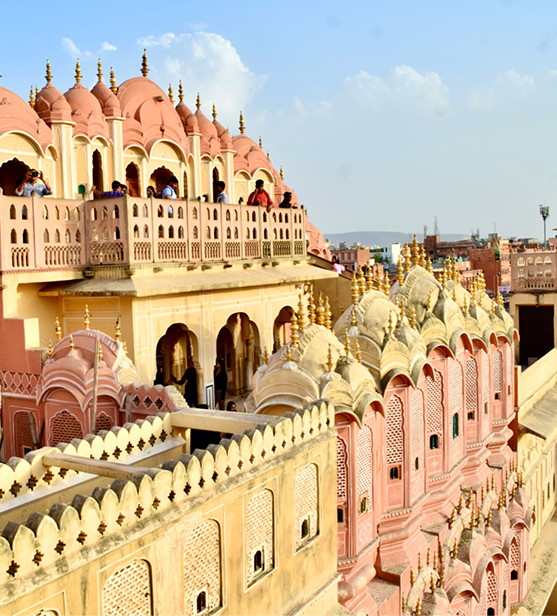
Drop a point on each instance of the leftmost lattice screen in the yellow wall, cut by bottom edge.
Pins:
(128, 591)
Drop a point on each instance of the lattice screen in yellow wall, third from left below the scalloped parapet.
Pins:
(259, 531)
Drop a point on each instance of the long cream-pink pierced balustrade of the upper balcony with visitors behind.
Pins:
(48, 233)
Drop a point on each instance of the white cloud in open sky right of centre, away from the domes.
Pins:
(404, 84)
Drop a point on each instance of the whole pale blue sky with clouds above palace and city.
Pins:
(383, 114)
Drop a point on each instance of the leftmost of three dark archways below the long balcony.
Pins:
(177, 362)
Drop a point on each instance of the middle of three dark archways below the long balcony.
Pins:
(238, 345)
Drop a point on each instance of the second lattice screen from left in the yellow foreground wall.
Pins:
(202, 567)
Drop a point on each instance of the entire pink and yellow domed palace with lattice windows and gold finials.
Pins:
(418, 379)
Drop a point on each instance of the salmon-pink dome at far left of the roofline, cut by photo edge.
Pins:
(17, 116)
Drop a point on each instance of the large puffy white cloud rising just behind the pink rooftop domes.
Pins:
(206, 63)
